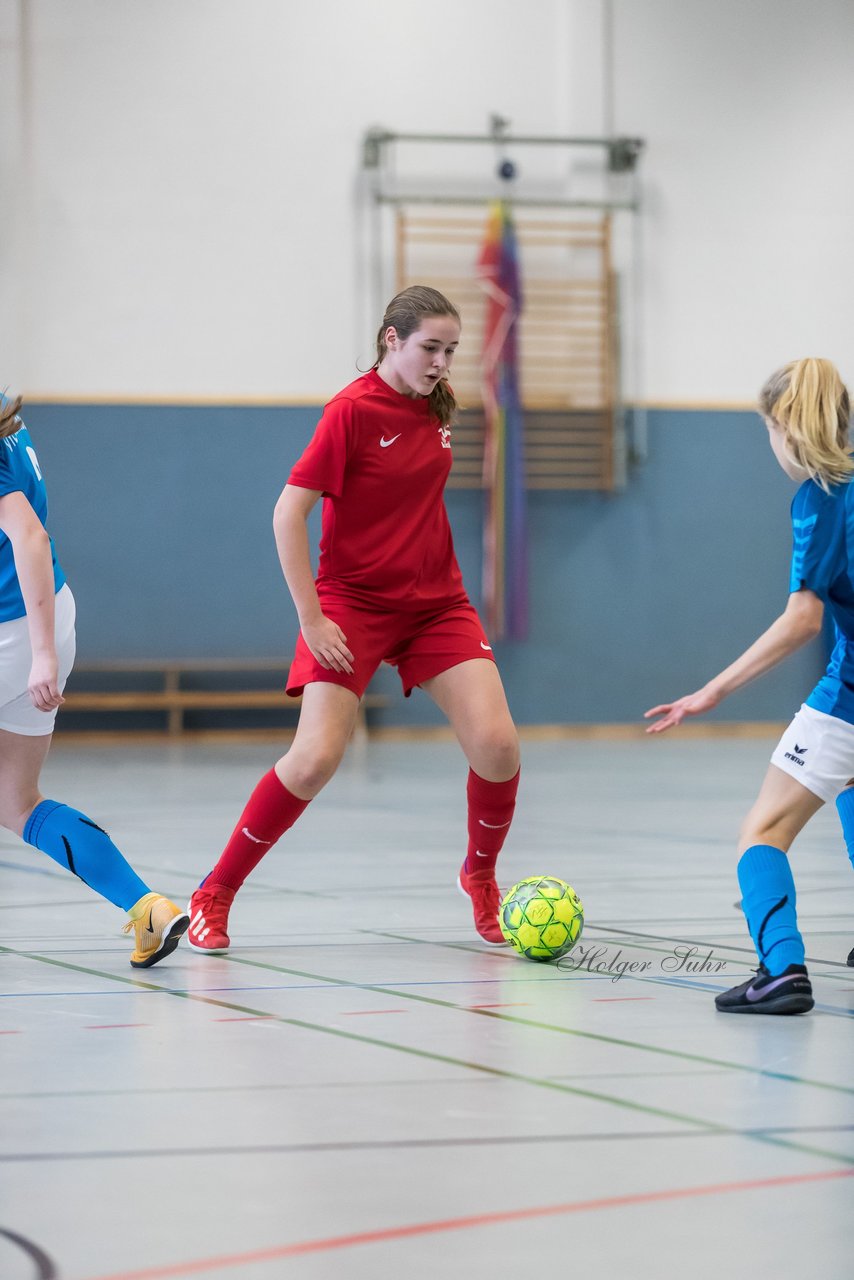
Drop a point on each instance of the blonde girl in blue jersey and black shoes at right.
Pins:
(806, 409)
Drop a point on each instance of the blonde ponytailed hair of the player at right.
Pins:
(810, 404)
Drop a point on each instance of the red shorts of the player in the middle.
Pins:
(421, 646)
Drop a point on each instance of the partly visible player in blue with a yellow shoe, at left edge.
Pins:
(36, 657)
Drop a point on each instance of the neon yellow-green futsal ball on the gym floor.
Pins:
(542, 917)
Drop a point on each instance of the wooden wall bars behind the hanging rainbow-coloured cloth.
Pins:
(568, 339)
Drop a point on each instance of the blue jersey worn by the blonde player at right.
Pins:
(824, 563)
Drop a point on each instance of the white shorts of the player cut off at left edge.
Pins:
(17, 712)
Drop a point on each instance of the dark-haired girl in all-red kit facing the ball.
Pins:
(389, 589)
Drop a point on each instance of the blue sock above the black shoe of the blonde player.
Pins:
(769, 904)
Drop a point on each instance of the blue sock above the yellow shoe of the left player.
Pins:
(83, 848)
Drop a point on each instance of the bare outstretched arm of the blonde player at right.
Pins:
(800, 623)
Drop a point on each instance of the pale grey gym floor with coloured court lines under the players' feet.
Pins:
(362, 1087)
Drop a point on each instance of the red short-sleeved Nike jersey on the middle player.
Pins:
(382, 461)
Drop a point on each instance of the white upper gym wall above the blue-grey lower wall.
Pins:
(181, 211)
